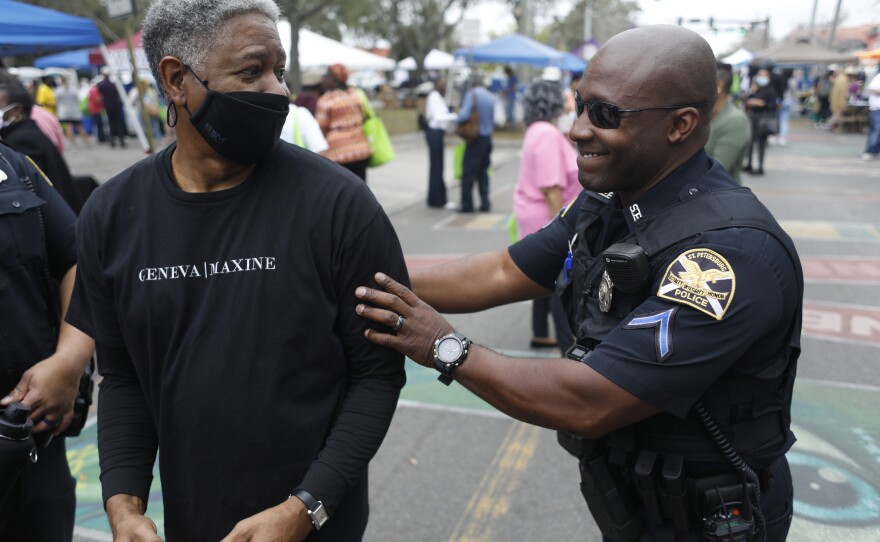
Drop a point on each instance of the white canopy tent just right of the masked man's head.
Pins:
(317, 51)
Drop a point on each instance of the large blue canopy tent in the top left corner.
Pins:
(27, 29)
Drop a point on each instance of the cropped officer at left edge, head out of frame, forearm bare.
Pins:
(41, 358)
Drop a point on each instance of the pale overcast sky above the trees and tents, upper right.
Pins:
(784, 15)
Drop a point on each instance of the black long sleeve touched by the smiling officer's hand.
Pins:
(376, 374)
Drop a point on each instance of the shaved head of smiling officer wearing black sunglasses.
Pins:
(647, 95)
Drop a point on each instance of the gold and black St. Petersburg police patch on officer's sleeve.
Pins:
(702, 279)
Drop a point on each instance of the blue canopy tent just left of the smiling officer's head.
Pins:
(519, 49)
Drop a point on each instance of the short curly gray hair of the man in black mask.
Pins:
(187, 29)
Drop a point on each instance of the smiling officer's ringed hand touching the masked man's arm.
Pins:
(421, 326)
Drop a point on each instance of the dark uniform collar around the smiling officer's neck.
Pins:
(689, 180)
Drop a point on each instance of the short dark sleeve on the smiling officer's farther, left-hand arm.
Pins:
(541, 255)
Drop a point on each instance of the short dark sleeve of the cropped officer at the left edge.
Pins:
(59, 222)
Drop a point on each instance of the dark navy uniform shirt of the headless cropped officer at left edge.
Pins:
(28, 329)
